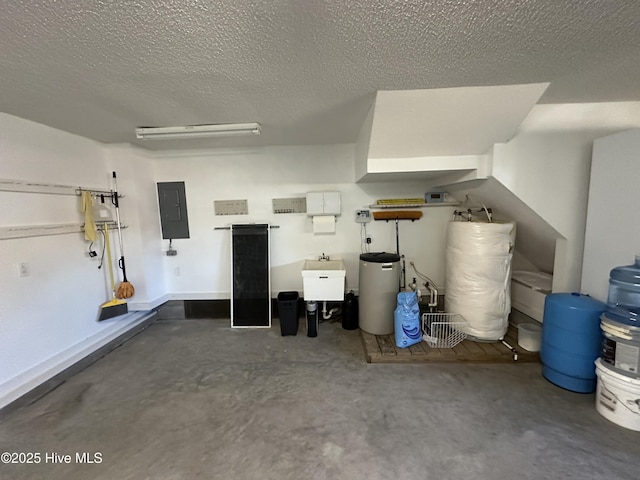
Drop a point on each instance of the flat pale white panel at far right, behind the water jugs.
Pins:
(613, 228)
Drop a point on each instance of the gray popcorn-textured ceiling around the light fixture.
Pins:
(306, 70)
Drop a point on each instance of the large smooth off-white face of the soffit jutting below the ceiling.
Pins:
(448, 121)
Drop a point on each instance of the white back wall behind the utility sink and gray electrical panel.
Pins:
(259, 175)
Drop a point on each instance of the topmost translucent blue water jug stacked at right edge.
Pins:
(623, 302)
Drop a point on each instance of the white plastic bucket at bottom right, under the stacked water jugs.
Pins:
(618, 397)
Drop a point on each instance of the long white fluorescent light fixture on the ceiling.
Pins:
(198, 131)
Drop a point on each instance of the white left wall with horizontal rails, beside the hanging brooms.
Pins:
(48, 319)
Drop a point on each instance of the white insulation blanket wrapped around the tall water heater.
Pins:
(478, 275)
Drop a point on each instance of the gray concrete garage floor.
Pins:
(190, 399)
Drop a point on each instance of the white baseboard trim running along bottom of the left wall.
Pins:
(42, 388)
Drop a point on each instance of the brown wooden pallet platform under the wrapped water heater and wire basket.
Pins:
(382, 349)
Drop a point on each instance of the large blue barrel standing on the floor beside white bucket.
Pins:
(571, 340)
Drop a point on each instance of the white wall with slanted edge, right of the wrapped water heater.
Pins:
(547, 166)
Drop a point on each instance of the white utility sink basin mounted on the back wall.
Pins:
(323, 280)
